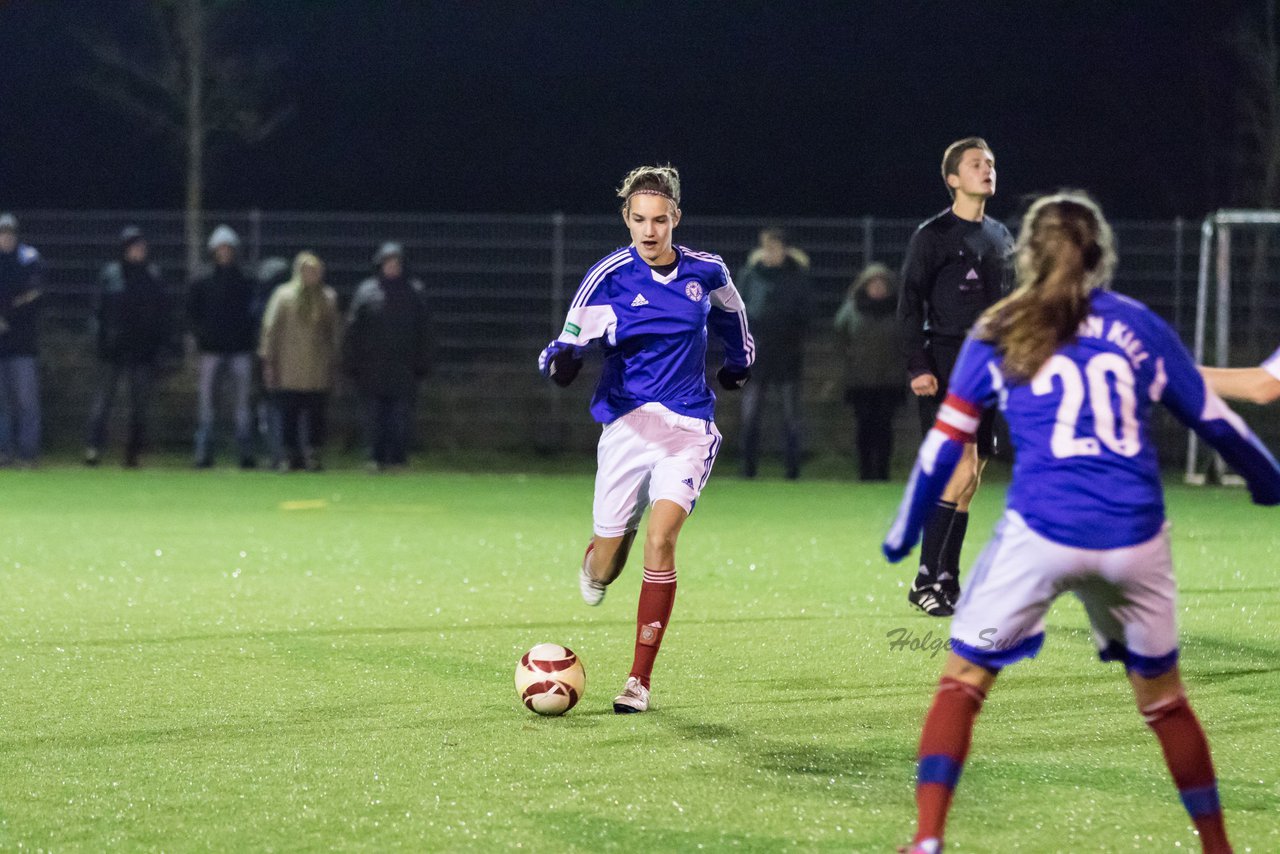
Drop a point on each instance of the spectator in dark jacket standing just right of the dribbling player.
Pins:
(775, 286)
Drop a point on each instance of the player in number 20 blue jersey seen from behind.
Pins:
(1076, 371)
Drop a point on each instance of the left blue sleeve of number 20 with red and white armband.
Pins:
(970, 392)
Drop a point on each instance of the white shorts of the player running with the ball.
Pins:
(647, 455)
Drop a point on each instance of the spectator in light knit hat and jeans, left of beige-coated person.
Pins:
(225, 318)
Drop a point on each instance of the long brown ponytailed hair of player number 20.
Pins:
(1064, 250)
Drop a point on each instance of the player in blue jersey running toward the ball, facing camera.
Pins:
(651, 307)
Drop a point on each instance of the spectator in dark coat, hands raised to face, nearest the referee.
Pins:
(872, 342)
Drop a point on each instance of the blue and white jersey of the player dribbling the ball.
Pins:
(653, 330)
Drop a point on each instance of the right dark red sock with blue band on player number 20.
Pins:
(1192, 768)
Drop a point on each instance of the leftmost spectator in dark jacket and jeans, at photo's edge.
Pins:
(20, 339)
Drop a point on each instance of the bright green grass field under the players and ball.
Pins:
(226, 661)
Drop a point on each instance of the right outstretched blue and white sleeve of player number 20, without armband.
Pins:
(1196, 405)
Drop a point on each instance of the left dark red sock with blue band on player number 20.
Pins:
(944, 747)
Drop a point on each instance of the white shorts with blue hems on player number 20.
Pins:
(1128, 593)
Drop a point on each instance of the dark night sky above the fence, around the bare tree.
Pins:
(769, 109)
